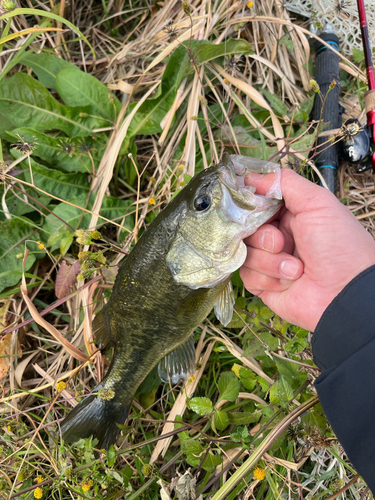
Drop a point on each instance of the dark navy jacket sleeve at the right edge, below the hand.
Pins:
(344, 349)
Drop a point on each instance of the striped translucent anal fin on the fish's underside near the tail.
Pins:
(179, 363)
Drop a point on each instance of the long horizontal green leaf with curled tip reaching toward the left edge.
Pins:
(70, 155)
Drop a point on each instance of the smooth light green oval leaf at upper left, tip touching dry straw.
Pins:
(77, 88)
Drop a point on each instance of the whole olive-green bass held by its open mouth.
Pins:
(178, 271)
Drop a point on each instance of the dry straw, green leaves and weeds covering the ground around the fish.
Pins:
(107, 109)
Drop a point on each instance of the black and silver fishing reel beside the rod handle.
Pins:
(354, 145)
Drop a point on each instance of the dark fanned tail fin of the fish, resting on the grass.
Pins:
(95, 417)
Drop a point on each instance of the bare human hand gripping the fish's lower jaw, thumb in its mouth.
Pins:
(300, 261)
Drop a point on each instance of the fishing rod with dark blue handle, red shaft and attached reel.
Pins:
(355, 142)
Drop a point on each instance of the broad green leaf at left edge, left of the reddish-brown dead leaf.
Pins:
(14, 233)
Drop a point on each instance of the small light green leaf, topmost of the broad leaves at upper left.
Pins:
(46, 67)
